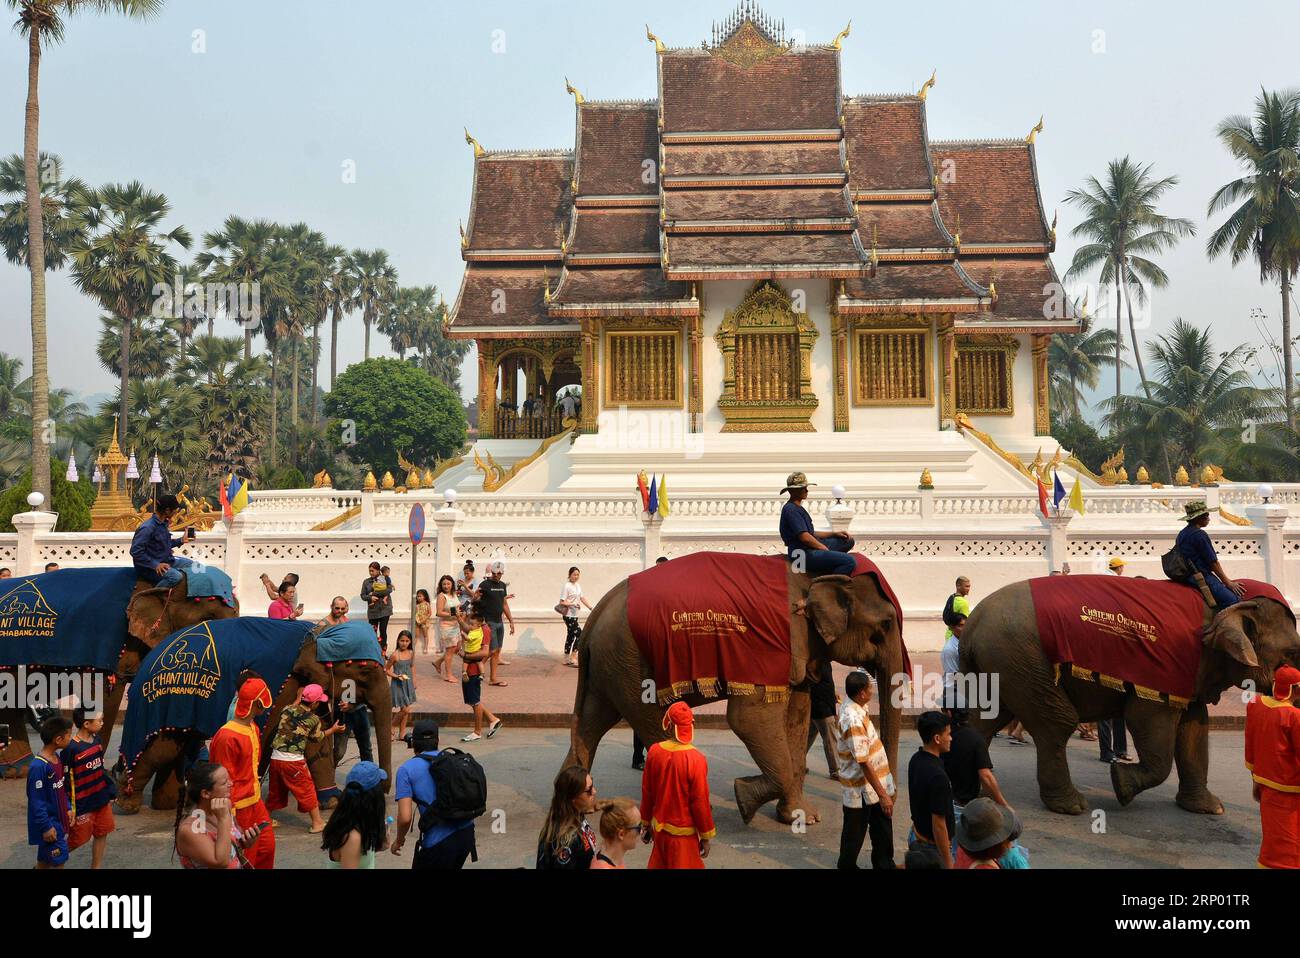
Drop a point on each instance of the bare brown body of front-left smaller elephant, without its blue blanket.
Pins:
(168, 753)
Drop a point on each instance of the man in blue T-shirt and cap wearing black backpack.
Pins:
(450, 791)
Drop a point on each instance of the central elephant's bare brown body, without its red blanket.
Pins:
(831, 618)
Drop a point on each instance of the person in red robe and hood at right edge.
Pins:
(1273, 757)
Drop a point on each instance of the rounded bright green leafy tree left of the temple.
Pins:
(396, 408)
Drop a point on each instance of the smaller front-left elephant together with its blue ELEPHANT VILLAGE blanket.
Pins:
(179, 674)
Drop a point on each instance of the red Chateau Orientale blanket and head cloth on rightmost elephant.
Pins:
(1146, 632)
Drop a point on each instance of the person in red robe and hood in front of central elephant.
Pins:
(675, 796)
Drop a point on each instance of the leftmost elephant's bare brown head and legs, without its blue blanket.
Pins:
(151, 614)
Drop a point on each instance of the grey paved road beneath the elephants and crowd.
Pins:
(521, 764)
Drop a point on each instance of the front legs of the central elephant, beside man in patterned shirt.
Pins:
(761, 726)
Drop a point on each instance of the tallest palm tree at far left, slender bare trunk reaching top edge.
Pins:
(42, 23)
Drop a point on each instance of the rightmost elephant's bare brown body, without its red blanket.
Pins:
(1242, 644)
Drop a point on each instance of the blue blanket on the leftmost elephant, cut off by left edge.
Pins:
(68, 619)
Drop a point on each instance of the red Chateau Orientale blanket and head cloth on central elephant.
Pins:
(720, 625)
